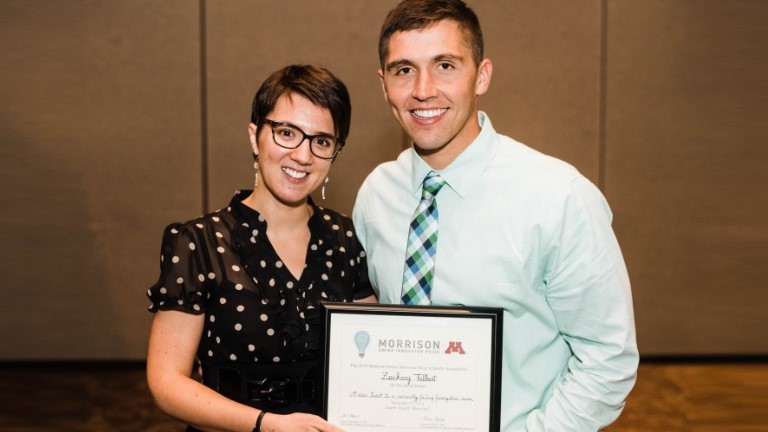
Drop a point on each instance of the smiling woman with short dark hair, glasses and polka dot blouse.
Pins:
(239, 288)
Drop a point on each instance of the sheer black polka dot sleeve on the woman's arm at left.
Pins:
(182, 284)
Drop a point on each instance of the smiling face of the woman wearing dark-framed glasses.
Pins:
(290, 175)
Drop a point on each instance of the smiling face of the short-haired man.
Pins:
(432, 84)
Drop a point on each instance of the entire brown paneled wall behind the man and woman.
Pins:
(119, 117)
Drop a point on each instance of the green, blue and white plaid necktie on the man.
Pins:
(422, 241)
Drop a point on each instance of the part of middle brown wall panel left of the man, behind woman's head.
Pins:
(247, 40)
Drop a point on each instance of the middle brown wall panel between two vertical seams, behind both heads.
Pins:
(545, 90)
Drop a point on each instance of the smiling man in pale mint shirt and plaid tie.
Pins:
(515, 229)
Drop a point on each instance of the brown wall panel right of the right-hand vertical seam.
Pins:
(685, 170)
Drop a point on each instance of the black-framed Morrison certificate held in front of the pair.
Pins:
(412, 368)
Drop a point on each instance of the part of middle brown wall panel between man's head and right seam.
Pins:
(545, 90)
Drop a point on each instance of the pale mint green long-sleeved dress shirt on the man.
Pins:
(528, 233)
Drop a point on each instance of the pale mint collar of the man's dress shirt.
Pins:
(464, 171)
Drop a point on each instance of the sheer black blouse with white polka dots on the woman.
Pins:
(256, 312)
